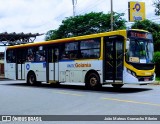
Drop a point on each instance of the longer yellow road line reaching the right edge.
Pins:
(129, 101)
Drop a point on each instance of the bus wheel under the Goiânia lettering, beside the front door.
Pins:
(93, 81)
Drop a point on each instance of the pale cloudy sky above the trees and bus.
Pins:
(40, 16)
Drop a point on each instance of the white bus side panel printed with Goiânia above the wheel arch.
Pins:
(75, 71)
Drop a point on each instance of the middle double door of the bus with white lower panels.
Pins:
(53, 66)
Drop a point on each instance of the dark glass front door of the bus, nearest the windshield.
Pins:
(113, 59)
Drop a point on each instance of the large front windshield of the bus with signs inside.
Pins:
(140, 51)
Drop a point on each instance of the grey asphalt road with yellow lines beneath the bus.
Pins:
(16, 98)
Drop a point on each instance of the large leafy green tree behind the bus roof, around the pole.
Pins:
(86, 24)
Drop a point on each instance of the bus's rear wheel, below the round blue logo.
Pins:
(31, 79)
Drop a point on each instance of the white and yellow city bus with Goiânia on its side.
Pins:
(116, 58)
